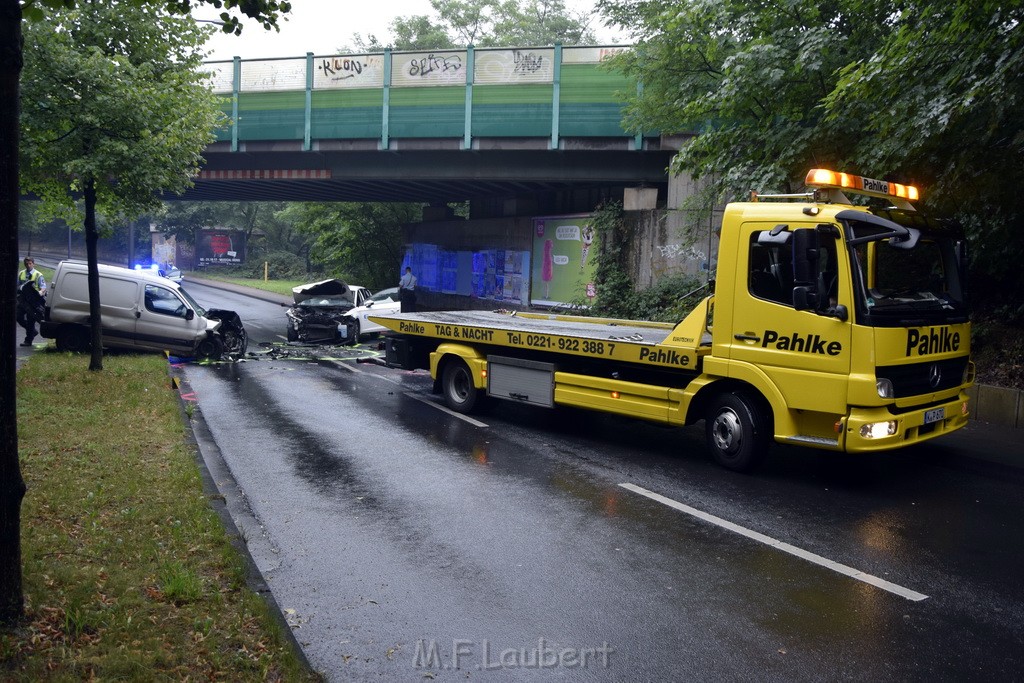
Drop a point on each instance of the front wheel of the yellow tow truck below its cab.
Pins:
(738, 436)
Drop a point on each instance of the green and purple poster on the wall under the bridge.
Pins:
(564, 262)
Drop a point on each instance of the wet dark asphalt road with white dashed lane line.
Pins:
(407, 544)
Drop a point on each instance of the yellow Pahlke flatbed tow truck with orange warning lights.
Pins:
(831, 325)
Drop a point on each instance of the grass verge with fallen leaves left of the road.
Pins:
(129, 573)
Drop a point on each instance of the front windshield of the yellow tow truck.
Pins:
(907, 285)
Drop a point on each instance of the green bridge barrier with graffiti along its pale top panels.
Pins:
(549, 93)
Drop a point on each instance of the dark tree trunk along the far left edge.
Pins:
(12, 484)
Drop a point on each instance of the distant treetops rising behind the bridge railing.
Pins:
(487, 24)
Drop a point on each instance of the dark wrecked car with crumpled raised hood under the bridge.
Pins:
(320, 308)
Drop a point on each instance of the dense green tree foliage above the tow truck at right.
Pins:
(927, 93)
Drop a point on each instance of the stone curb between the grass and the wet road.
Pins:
(228, 499)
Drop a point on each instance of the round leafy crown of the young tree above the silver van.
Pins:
(112, 96)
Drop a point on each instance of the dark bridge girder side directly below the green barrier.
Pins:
(412, 172)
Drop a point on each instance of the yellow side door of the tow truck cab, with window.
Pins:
(806, 354)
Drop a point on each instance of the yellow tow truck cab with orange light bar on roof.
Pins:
(851, 322)
